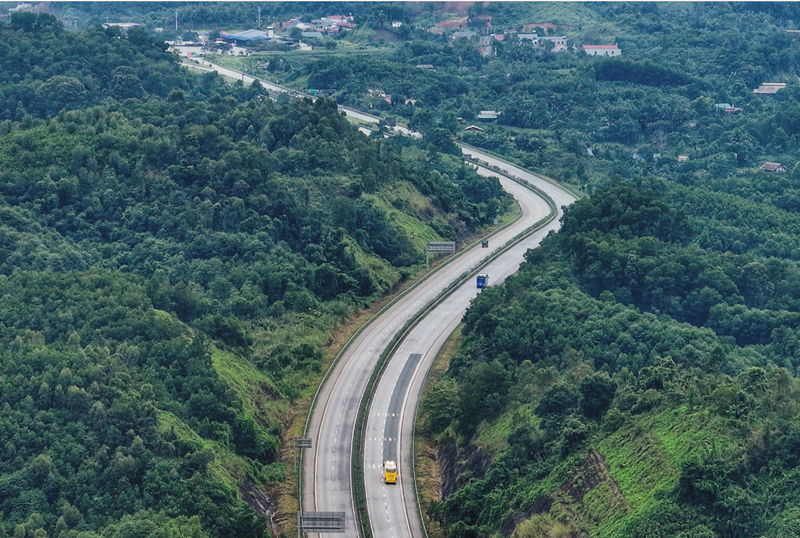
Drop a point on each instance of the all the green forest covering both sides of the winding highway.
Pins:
(177, 250)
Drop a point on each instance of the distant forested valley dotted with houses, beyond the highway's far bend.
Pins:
(637, 113)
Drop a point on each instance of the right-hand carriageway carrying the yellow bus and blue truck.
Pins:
(390, 424)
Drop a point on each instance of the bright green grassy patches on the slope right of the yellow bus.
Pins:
(624, 473)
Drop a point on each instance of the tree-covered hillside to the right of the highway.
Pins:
(628, 382)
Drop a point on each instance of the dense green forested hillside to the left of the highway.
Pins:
(175, 251)
